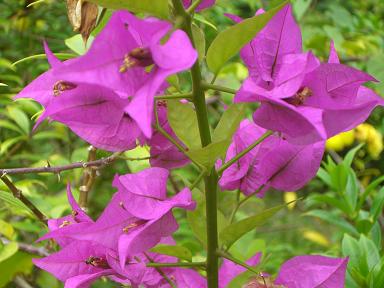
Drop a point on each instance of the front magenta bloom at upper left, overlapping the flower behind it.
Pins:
(119, 56)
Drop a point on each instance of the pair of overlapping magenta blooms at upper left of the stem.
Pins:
(110, 90)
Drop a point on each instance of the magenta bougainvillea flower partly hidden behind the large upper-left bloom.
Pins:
(93, 112)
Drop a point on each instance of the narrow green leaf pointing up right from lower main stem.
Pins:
(235, 231)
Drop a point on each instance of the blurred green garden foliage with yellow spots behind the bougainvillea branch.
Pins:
(317, 224)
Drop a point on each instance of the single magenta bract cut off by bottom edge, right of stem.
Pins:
(313, 271)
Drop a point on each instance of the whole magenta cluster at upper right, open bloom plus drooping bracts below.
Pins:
(302, 99)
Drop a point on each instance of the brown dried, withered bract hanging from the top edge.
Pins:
(82, 16)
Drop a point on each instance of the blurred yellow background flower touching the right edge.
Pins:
(366, 133)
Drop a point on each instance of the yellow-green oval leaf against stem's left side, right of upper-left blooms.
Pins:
(183, 120)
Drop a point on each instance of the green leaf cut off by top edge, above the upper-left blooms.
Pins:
(157, 8)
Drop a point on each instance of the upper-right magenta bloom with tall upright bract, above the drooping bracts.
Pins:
(307, 101)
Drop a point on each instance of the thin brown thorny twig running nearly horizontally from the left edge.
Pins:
(57, 169)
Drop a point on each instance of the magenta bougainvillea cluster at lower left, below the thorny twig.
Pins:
(138, 217)
